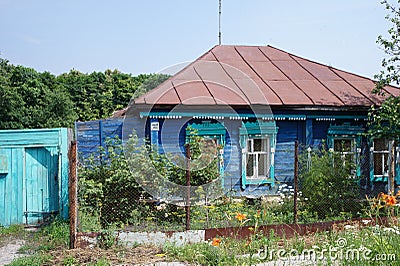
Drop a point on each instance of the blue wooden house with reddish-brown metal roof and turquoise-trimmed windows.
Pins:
(256, 101)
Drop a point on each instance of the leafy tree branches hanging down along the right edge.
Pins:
(385, 120)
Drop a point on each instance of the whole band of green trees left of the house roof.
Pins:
(30, 99)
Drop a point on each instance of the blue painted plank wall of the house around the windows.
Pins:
(310, 131)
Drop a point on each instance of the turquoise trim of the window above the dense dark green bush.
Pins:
(350, 132)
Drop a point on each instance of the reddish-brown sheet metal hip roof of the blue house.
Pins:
(249, 75)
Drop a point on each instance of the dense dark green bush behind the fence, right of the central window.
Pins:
(329, 184)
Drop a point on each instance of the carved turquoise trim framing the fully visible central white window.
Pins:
(258, 129)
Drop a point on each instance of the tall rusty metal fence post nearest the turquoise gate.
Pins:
(72, 191)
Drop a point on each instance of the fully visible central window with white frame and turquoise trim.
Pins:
(257, 140)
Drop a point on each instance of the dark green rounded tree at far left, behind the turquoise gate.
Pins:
(32, 100)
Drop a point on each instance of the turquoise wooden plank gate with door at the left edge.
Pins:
(33, 175)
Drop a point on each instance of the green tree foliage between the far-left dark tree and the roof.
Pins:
(98, 95)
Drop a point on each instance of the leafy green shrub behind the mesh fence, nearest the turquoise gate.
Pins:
(107, 187)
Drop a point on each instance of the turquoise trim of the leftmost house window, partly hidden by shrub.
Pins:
(212, 130)
